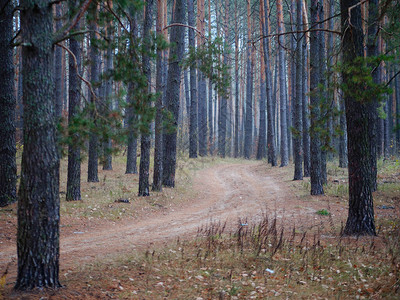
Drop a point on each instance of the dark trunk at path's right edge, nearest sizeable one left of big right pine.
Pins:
(315, 142)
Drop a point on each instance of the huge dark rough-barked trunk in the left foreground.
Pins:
(39, 202)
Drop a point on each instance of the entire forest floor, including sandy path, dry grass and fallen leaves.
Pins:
(231, 229)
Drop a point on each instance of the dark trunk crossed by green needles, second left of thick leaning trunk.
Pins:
(144, 168)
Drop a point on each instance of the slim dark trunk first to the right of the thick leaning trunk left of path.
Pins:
(193, 136)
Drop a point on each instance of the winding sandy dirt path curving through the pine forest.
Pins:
(225, 193)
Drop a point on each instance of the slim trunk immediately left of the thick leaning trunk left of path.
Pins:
(158, 144)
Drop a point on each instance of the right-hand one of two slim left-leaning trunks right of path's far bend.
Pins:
(282, 90)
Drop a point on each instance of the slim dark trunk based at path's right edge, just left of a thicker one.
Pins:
(297, 109)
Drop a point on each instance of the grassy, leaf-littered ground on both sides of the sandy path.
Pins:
(257, 260)
